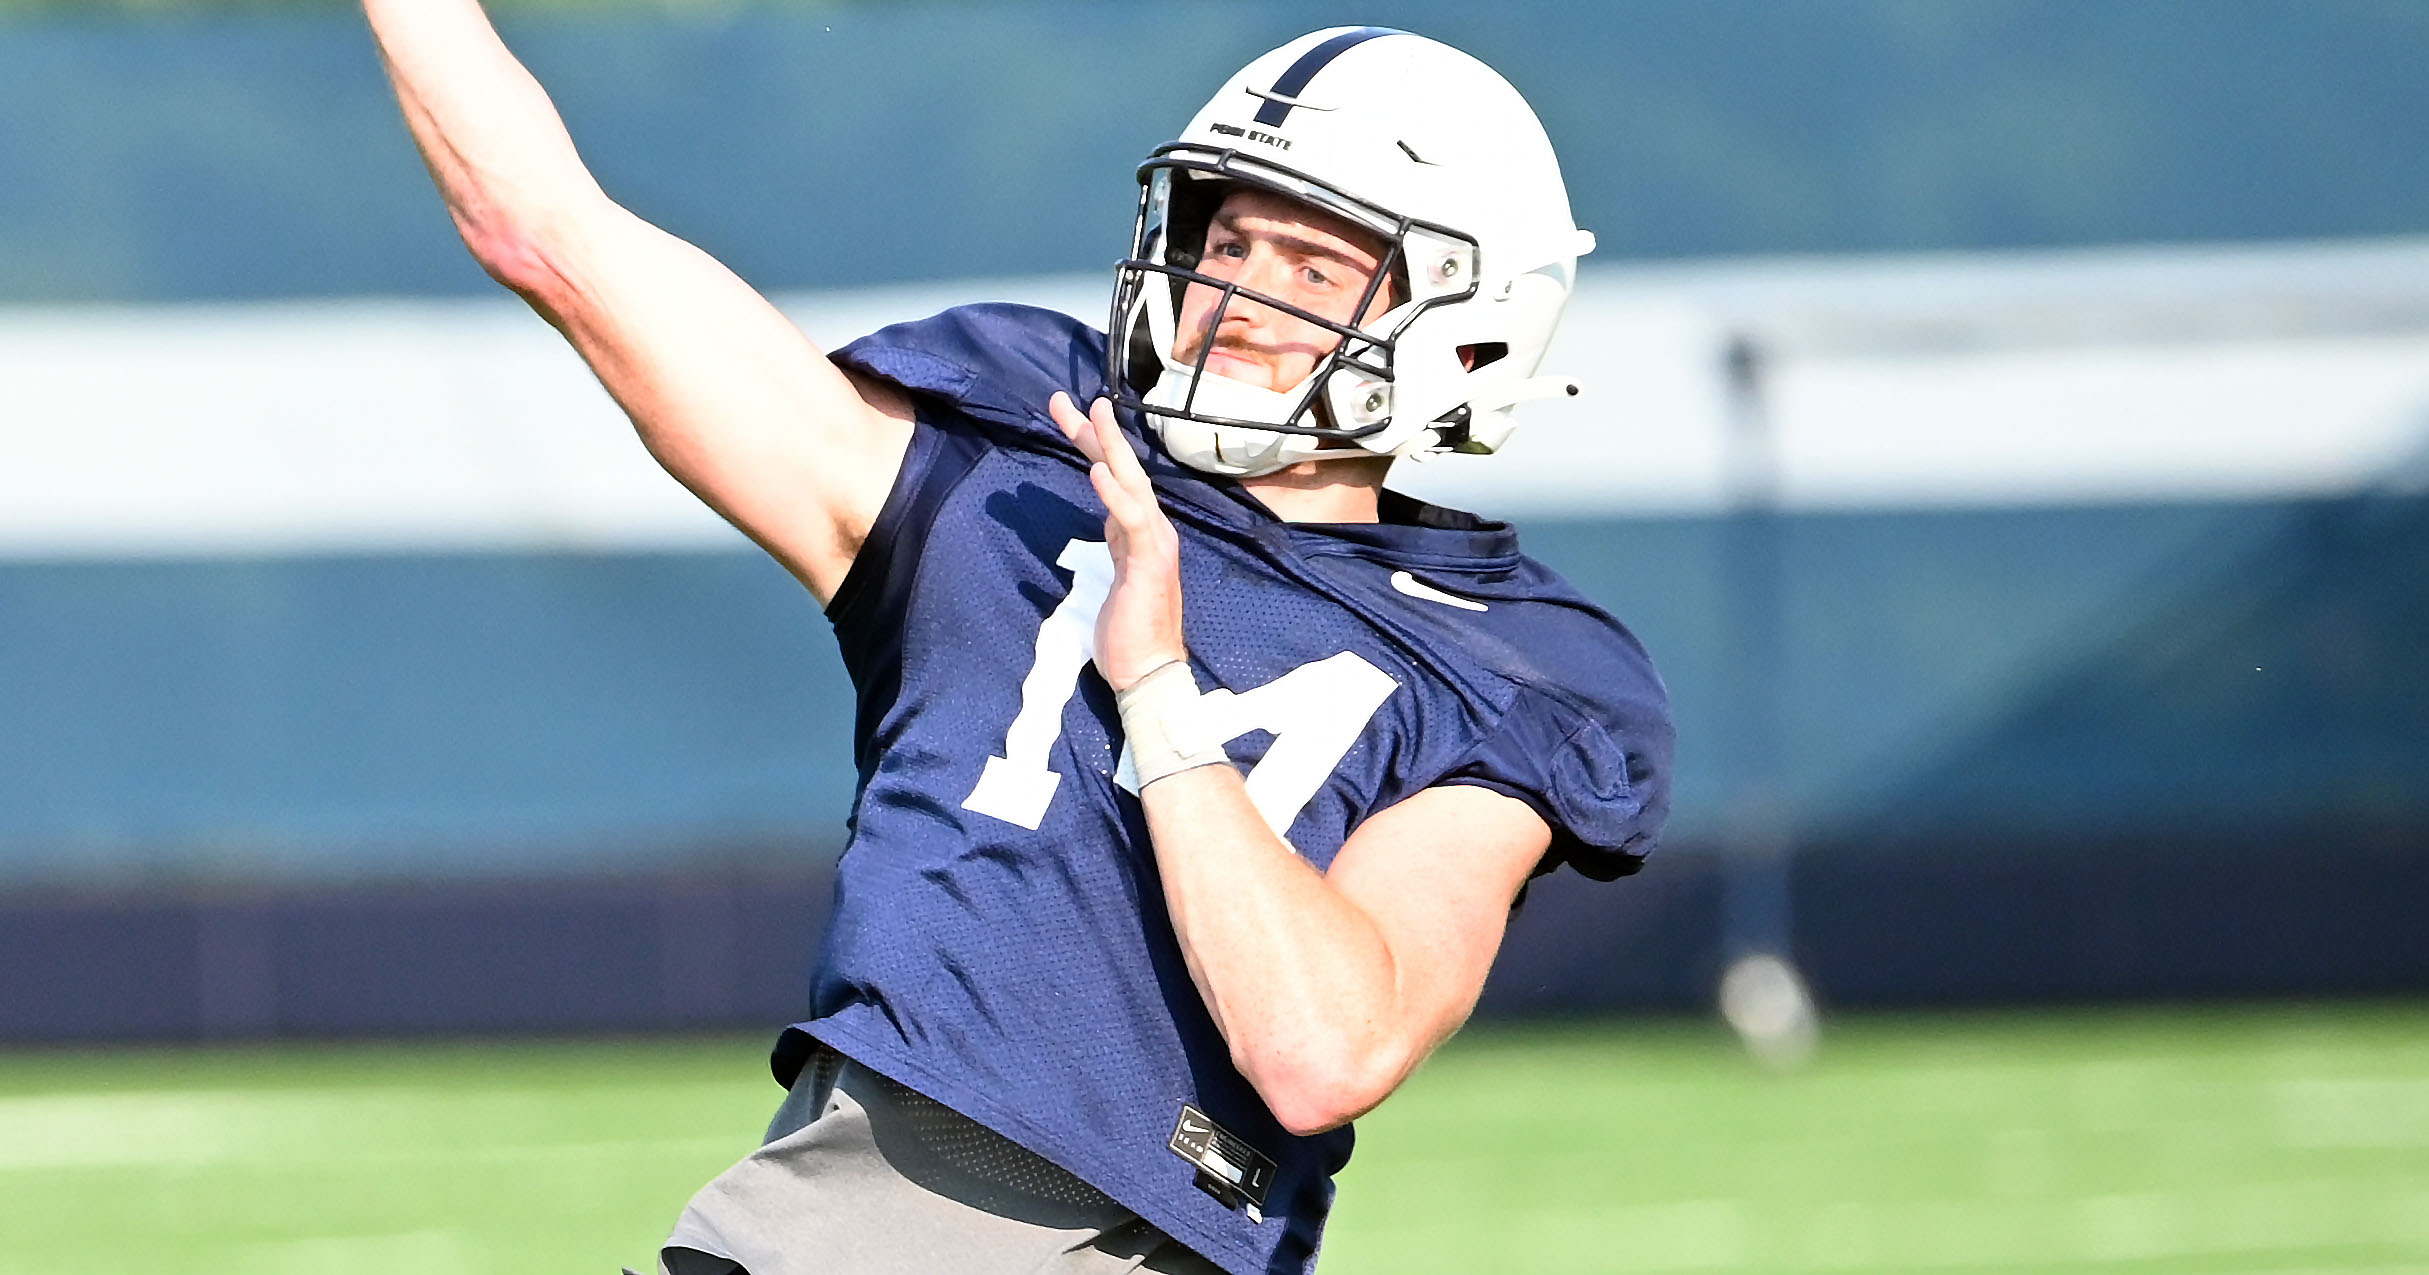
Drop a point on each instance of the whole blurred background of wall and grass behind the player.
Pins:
(2008, 426)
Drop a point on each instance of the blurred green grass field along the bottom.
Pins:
(2284, 1140)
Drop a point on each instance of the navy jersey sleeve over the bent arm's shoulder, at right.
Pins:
(1597, 773)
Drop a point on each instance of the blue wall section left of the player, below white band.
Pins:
(419, 715)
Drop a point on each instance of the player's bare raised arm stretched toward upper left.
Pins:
(727, 395)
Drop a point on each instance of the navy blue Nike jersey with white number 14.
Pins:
(1000, 939)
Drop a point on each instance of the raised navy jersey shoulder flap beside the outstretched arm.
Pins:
(992, 361)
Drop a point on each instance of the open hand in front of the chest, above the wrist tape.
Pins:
(1140, 625)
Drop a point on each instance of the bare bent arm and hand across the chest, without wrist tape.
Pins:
(1327, 987)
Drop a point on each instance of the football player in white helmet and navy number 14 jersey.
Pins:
(1199, 771)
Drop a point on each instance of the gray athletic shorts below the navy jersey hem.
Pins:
(864, 1177)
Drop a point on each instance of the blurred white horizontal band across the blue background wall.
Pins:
(1903, 382)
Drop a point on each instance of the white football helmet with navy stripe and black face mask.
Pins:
(1415, 142)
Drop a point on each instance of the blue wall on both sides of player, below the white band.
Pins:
(1947, 676)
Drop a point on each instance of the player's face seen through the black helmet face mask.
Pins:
(1286, 251)
